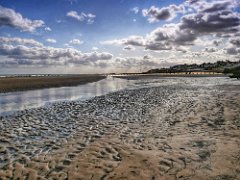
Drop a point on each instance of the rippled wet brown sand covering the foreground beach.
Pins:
(178, 131)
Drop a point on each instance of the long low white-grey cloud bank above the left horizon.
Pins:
(44, 56)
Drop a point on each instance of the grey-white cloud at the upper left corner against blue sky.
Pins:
(8, 17)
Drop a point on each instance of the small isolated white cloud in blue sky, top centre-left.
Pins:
(89, 18)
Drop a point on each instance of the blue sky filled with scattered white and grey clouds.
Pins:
(115, 36)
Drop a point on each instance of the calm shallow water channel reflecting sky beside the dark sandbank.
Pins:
(14, 101)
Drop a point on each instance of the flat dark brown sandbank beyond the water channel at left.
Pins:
(9, 84)
